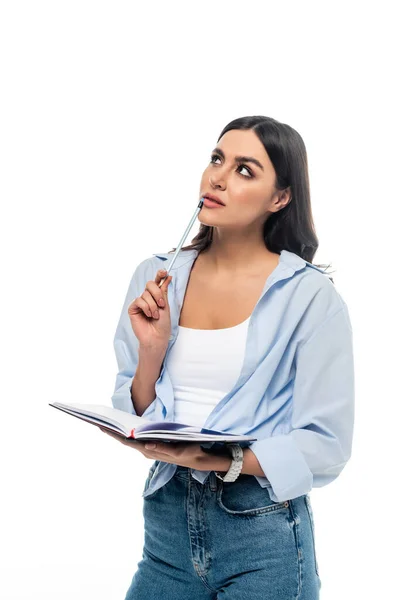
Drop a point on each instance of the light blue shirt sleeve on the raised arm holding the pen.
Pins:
(126, 347)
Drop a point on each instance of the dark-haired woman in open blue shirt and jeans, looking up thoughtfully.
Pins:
(250, 338)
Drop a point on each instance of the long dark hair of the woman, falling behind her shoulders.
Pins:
(291, 228)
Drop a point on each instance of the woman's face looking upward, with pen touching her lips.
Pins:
(246, 188)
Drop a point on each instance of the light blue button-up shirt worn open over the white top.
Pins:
(295, 392)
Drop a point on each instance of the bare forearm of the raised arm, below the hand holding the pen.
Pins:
(143, 384)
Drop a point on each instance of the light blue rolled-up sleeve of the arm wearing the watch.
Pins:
(318, 446)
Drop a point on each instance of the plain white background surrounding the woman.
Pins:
(109, 112)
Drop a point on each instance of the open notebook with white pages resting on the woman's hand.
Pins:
(133, 427)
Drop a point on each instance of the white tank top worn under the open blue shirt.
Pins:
(204, 364)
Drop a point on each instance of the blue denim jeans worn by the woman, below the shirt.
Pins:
(225, 541)
